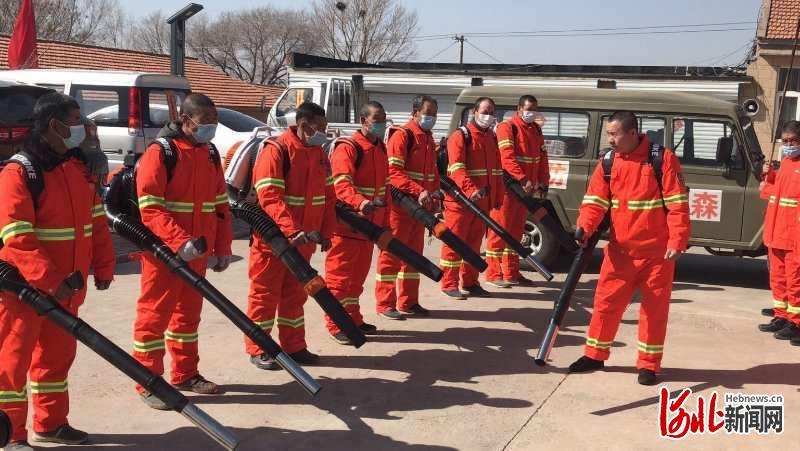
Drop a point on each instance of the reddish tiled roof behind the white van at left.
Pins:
(223, 89)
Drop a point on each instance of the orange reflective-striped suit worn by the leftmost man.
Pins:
(66, 231)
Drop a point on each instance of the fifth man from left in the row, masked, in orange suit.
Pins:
(412, 169)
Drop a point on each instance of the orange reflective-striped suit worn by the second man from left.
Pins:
(192, 204)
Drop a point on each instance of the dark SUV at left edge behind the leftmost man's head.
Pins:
(16, 114)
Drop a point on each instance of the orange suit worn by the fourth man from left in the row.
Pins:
(348, 261)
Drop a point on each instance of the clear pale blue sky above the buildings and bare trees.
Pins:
(473, 16)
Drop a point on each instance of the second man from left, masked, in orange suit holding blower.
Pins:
(181, 207)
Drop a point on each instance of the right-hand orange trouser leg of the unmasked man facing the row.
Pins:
(656, 277)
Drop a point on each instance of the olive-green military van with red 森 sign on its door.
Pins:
(714, 139)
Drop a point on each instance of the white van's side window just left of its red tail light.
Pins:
(102, 104)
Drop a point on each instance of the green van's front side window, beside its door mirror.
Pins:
(695, 141)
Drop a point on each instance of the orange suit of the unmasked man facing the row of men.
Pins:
(641, 232)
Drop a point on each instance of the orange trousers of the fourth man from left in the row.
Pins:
(347, 264)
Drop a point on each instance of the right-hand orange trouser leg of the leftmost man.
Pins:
(49, 371)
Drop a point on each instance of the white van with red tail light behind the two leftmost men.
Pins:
(126, 106)
